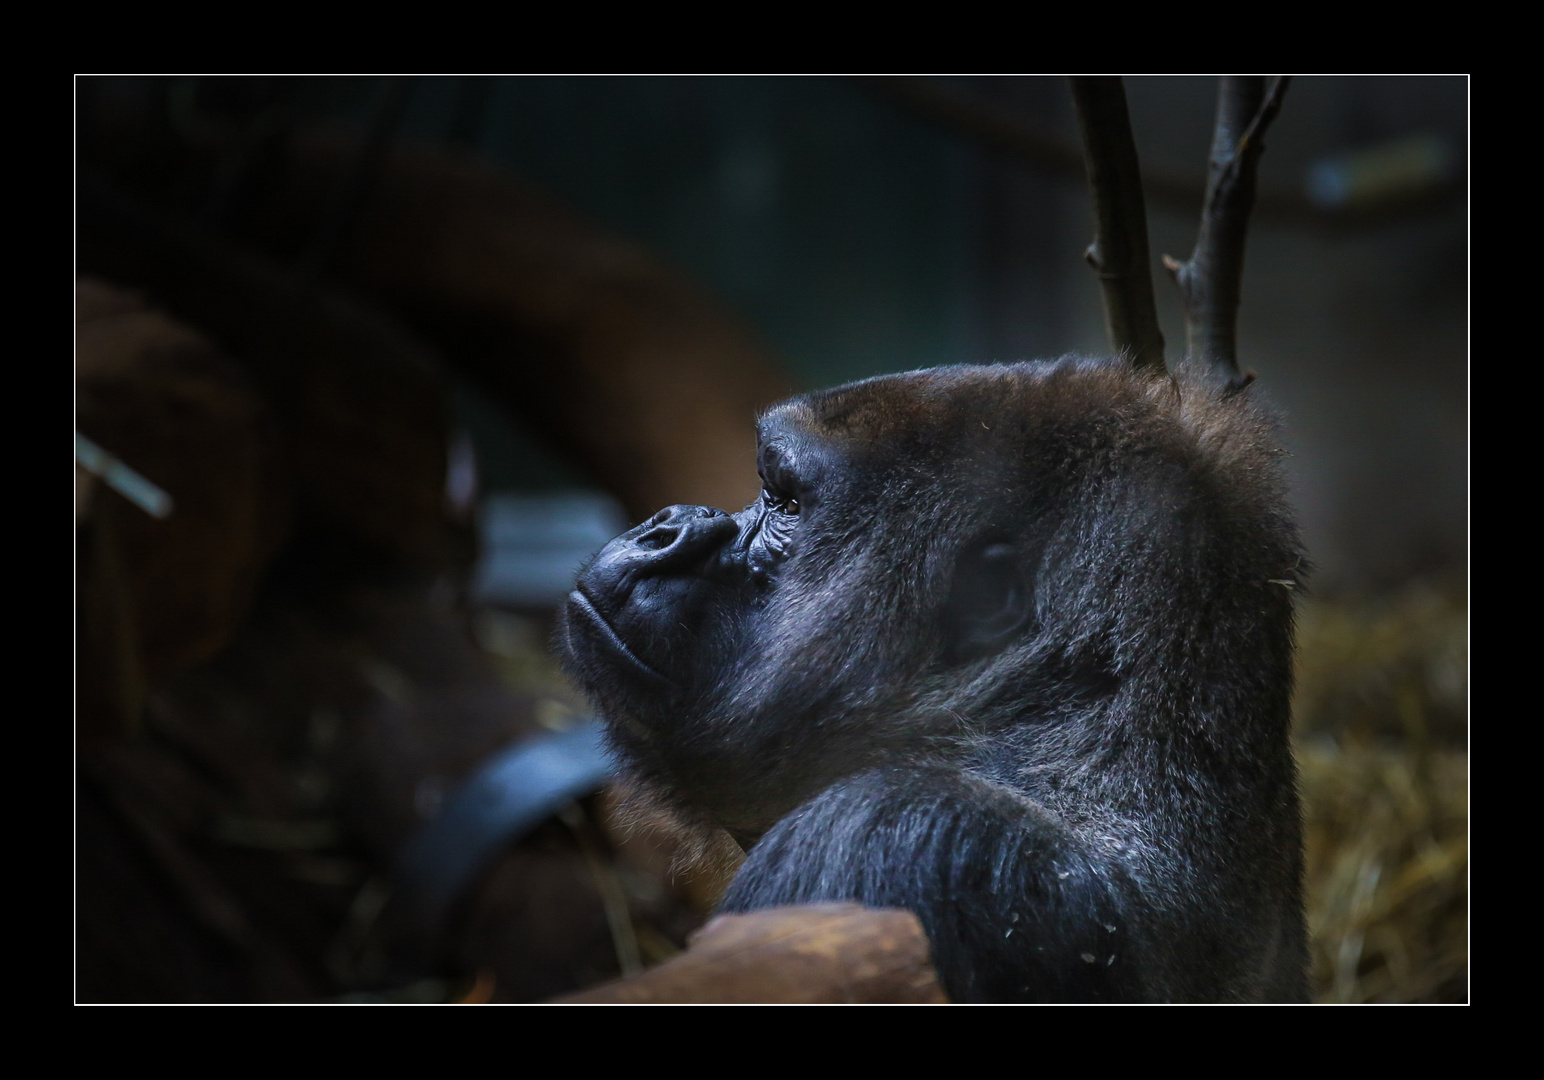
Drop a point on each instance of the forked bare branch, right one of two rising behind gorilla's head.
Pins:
(1211, 279)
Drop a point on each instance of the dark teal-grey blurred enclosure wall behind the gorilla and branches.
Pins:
(858, 234)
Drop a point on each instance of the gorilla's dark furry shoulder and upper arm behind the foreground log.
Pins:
(1015, 906)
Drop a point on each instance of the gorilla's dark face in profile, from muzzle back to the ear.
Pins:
(747, 661)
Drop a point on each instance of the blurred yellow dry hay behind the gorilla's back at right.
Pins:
(1384, 753)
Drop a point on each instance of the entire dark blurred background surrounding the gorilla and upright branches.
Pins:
(387, 359)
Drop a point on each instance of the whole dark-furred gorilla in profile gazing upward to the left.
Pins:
(1009, 647)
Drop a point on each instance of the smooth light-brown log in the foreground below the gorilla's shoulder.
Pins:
(822, 954)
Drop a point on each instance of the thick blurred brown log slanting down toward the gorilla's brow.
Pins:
(612, 356)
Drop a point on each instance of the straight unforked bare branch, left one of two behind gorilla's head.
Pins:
(1120, 243)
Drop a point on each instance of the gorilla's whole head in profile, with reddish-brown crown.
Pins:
(987, 566)
